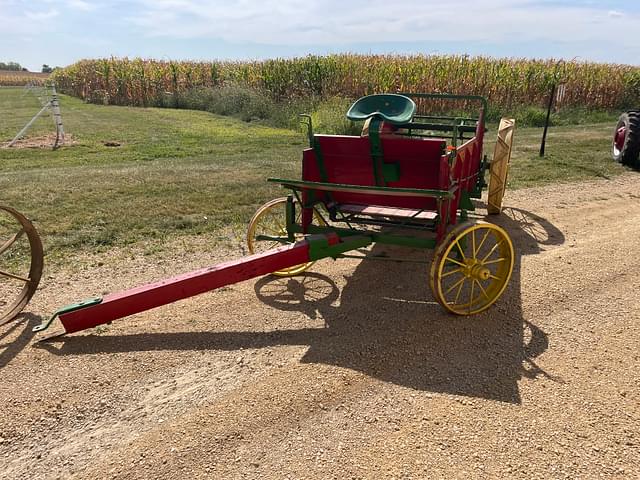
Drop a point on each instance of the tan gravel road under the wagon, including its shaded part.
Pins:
(350, 372)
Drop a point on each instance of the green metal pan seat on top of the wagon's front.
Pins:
(390, 107)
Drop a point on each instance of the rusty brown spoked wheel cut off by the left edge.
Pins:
(21, 262)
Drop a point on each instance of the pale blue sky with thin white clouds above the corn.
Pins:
(60, 32)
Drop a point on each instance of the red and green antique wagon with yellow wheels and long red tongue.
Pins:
(407, 180)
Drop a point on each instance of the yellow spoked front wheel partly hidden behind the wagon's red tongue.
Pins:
(270, 221)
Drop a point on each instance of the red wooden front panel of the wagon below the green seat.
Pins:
(422, 163)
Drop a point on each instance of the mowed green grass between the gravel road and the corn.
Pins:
(182, 173)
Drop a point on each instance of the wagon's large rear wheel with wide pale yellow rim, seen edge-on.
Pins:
(499, 168)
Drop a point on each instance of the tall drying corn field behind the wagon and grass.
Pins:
(506, 82)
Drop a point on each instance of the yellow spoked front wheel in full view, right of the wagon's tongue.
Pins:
(471, 267)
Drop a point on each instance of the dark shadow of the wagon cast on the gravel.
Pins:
(386, 324)
